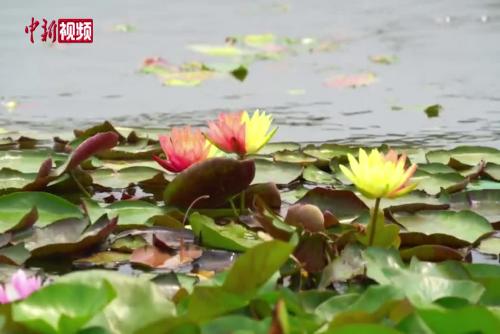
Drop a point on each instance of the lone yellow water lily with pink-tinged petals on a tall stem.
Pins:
(377, 175)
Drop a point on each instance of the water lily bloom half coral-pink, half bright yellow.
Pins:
(241, 133)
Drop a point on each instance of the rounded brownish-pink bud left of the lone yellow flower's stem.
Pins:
(307, 216)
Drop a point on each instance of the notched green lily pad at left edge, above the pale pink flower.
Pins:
(13, 207)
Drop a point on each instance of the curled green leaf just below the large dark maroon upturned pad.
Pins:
(230, 237)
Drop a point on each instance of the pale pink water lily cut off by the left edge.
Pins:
(20, 287)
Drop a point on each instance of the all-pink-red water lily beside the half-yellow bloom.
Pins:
(183, 148)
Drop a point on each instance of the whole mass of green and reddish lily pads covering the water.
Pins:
(272, 243)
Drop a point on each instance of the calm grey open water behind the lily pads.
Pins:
(448, 53)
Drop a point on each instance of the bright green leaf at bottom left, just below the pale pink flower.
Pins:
(63, 307)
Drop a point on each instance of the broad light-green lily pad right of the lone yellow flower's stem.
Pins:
(464, 225)
